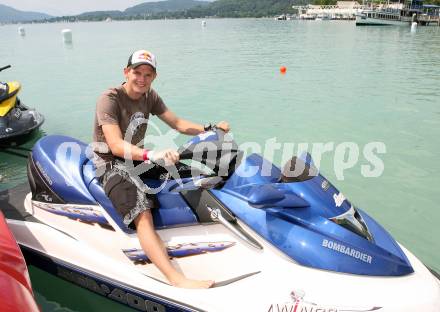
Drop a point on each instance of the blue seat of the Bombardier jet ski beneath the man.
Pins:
(71, 174)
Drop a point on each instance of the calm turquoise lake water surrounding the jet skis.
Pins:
(343, 84)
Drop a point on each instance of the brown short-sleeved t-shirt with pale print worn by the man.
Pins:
(115, 107)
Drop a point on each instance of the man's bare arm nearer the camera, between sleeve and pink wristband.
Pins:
(118, 146)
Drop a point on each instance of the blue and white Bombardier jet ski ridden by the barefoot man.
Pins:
(271, 238)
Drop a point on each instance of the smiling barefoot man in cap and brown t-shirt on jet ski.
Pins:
(121, 123)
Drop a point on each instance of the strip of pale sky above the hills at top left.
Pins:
(70, 7)
